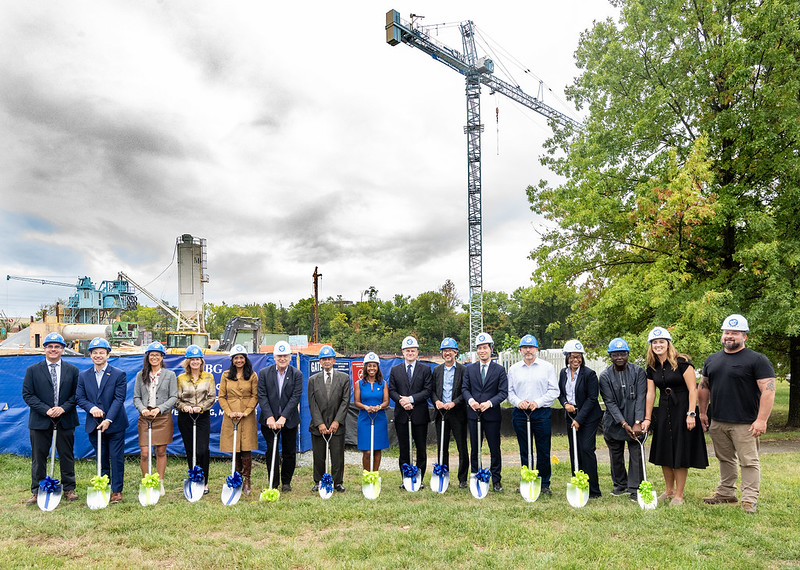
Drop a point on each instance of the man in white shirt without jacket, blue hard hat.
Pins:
(532, 388)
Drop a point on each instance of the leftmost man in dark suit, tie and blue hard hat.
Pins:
(49, 390)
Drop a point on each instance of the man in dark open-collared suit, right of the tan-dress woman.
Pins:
(280, 387)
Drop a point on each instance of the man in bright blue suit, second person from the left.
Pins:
(101, 393)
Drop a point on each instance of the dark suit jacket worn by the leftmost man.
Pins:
(37, 391)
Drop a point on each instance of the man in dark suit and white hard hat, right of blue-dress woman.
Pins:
(410, 386)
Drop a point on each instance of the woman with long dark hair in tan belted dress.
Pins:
(238, 397)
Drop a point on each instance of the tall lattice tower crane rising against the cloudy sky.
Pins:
(477, 71)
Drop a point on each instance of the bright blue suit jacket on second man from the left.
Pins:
(109, 397)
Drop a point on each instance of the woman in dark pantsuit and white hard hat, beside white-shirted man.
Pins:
(578, 390)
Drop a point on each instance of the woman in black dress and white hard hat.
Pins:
(678, 441)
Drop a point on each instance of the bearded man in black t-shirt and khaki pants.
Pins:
(740, 384)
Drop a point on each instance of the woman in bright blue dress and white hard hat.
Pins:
(371, 397)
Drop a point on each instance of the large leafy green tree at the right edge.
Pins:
(680, 198)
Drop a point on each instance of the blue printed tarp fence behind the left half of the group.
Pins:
(14, 434)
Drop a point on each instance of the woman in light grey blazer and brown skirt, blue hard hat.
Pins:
(155, 391)
